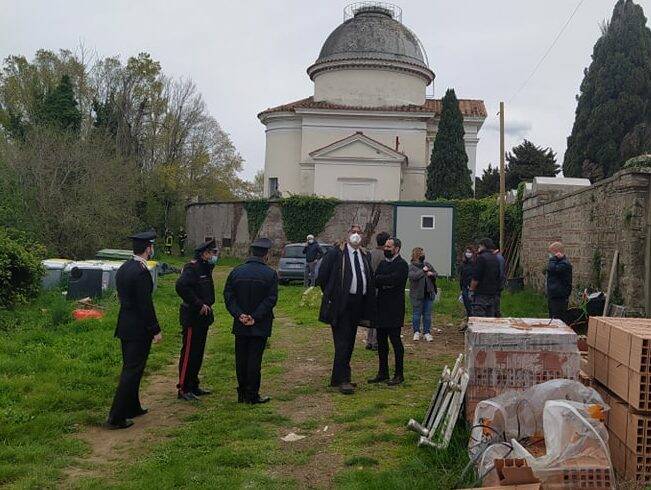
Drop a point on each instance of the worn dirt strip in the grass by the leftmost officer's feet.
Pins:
(110, 447)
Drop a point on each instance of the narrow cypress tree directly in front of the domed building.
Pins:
(448, 175)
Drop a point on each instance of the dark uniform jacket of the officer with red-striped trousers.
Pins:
(196, 288)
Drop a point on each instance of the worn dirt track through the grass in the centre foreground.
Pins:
(310, 404)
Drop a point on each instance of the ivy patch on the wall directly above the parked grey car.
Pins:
(304, 215)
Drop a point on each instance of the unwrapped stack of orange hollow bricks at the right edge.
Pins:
(619, 367)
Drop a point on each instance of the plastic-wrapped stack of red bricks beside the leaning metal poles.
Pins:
(516, 353)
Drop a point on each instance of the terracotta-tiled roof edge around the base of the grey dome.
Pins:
(470, 108)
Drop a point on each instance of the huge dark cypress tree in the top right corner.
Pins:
(614, 104)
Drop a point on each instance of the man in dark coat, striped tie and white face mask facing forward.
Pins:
(346, 279)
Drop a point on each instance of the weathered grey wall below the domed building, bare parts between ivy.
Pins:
(227, 222)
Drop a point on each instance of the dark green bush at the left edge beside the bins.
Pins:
(20, 268)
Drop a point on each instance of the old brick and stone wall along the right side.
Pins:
(592, 223)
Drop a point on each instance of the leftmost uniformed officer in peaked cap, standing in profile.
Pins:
(137, 327)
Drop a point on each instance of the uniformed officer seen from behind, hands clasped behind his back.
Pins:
(250, 293)
